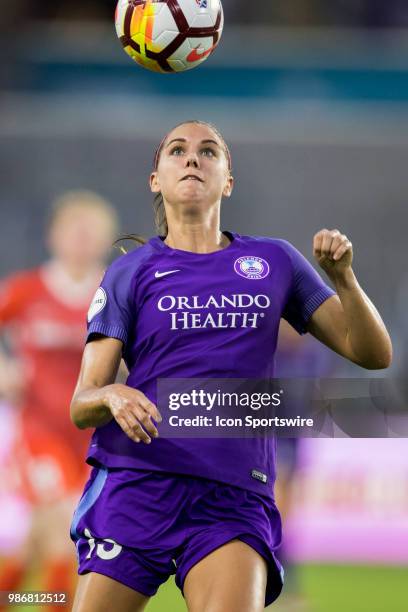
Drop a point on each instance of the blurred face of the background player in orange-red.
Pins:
(81, 235)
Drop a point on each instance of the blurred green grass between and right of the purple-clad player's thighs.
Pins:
(327, 588)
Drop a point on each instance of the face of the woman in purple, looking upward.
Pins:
(193, 167)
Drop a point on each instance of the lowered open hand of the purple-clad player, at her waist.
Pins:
(133, 412)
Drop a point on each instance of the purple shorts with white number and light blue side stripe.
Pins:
(140, 527)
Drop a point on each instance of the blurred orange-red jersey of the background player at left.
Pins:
(47, 332)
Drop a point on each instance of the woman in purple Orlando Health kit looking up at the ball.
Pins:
(196, 302)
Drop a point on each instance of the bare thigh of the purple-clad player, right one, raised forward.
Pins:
(230, 579)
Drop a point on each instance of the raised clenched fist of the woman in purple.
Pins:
(333, 251)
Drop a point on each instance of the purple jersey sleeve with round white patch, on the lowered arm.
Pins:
(111, 311)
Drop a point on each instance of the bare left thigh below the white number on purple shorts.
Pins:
(98, 593)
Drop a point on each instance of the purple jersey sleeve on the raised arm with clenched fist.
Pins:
(307, 293)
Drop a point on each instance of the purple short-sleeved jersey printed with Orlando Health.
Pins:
(187, 315)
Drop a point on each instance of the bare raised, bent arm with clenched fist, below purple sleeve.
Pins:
(348, 322)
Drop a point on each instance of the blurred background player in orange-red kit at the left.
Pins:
(42, 317)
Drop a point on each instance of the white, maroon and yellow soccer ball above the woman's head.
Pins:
(169, 35)
